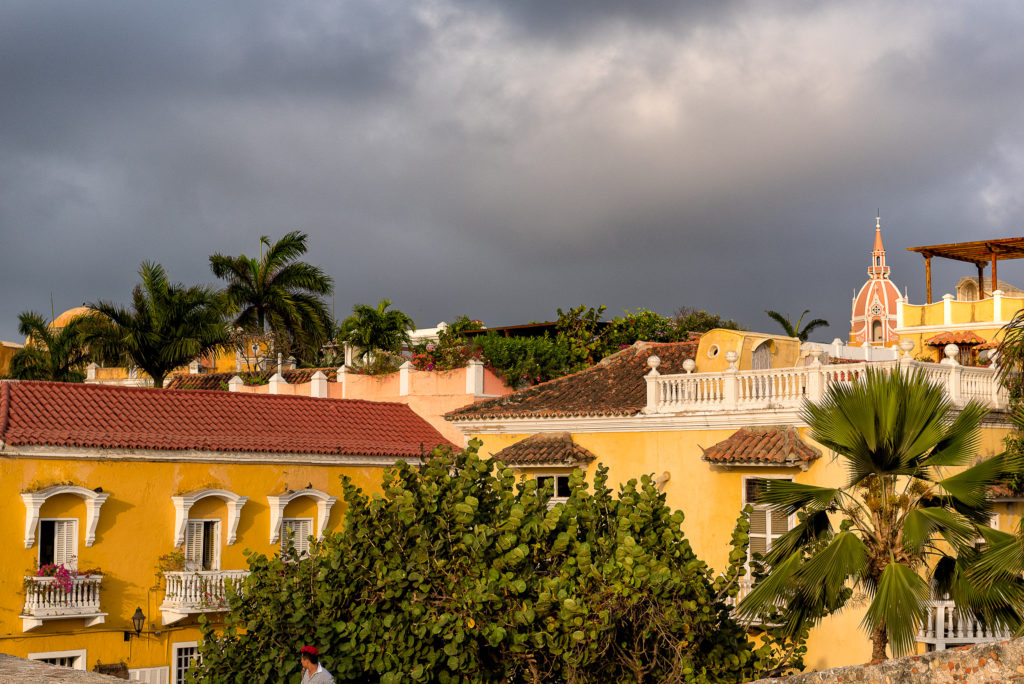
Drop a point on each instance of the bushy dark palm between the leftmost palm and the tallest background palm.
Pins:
(167, 327)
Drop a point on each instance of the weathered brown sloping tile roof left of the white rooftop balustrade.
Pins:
(616, 387)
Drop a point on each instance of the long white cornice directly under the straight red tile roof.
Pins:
(195, 456)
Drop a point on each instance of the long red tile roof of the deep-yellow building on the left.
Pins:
(103, 417)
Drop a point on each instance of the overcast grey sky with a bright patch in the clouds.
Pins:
(505, 158)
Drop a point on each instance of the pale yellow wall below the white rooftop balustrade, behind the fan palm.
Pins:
(711, 497)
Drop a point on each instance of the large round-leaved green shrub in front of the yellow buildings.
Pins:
(459, 573)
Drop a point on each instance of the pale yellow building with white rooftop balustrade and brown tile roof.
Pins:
(708, 437)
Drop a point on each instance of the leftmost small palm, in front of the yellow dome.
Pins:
(50, 354)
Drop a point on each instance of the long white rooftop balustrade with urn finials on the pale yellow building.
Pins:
(789, 388)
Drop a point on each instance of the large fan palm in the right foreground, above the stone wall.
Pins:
(905, 520)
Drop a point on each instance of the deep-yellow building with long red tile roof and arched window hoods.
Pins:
(112, 484)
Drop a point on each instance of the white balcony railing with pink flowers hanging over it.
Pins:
(46, 598)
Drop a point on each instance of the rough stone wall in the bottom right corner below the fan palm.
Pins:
(983, 664)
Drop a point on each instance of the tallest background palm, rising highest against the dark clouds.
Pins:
(277, 294)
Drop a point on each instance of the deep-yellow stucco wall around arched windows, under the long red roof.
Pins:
(136, 528)
